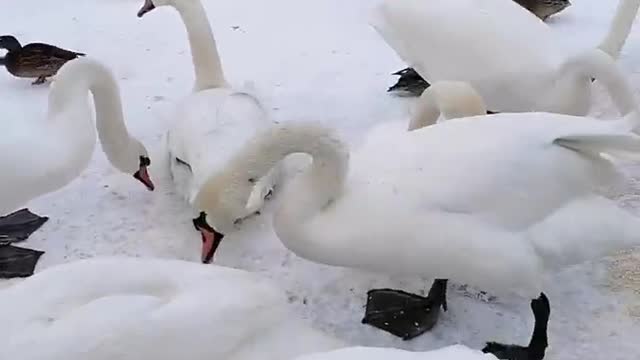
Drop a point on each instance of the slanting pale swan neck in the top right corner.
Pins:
(620, 27)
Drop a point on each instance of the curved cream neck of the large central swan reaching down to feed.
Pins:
(305, 194)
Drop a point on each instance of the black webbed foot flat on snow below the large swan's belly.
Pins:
(404, 314)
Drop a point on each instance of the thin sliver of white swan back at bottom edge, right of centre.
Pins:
(454, 352)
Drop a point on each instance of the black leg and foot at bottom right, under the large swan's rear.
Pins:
(539, 342)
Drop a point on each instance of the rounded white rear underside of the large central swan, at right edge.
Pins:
(585, 230)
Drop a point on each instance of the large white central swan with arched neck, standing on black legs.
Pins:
(416, 203)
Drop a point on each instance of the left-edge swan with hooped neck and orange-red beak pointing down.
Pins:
(45, 155)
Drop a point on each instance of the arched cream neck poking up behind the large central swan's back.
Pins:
(454, 99)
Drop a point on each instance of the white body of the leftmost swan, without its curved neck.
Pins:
(42, 157)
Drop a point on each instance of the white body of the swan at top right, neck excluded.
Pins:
(500, 48)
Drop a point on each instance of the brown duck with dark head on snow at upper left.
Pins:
(35, 60)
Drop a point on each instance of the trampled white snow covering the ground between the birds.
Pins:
(311, 59)
